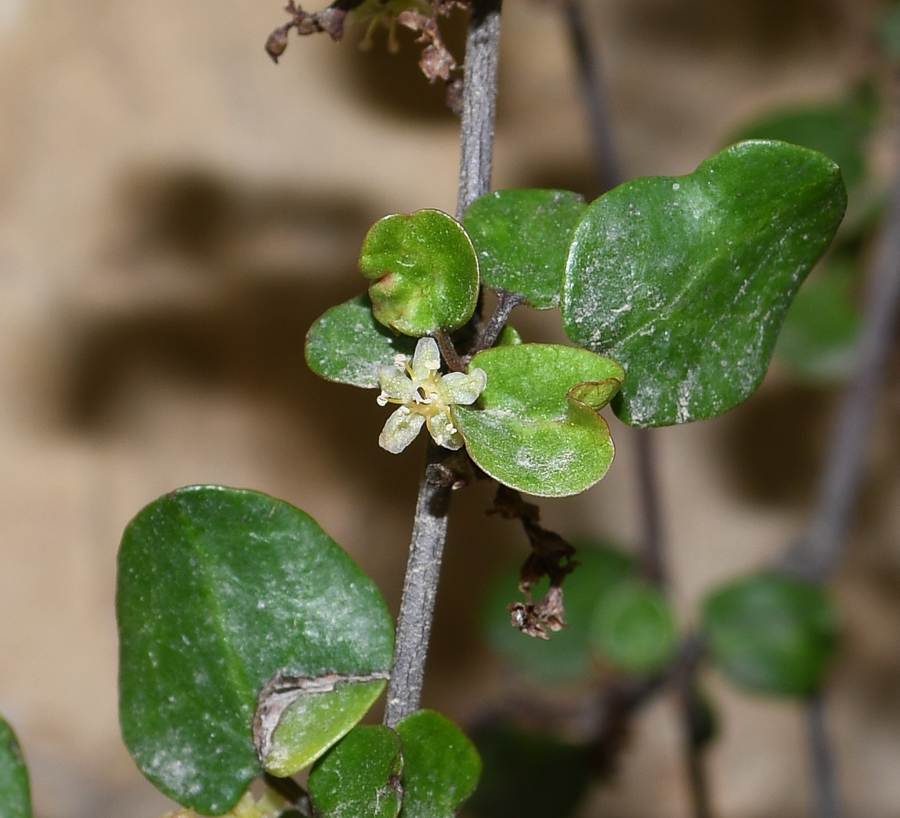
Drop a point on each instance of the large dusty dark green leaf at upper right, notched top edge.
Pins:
(685, 281)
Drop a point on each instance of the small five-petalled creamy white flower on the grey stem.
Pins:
(424, 397)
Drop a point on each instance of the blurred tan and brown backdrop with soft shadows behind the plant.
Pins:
(175, 211)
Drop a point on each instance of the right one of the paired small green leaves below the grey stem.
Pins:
(441, 766)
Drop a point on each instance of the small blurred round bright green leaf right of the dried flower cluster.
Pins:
(634, 628)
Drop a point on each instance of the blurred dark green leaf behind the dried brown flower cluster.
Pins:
(566, 656)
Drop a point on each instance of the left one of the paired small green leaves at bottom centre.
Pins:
(360, 776)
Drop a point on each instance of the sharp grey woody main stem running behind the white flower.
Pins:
(430, 525)
